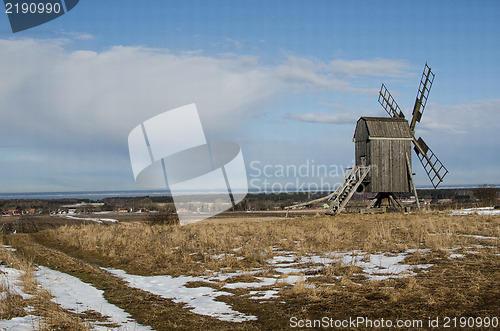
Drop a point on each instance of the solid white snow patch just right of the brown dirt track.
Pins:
(201, 299)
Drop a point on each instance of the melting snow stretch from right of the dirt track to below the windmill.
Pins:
(289, 269)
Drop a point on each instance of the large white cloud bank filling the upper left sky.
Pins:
(90, 96)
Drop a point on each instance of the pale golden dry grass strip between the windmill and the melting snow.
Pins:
(241, 244)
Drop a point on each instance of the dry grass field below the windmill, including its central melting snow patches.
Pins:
(271, 272)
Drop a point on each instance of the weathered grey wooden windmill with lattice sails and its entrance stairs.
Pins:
(383, 154)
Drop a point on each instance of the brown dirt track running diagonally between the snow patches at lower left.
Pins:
(145, 308)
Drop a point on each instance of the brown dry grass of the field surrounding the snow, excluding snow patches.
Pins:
(453, 287)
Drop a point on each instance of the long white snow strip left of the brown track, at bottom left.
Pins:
(73, 294)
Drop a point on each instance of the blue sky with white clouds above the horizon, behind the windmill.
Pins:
(287, 80)
